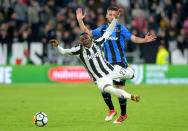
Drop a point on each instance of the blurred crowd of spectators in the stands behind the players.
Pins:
(41, 20)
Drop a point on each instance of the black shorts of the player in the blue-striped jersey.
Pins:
(124, 65)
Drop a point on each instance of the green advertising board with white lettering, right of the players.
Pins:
(160, 74)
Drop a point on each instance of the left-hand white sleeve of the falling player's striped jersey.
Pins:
(72, 51)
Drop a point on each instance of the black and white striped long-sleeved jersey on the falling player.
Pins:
(92, 57)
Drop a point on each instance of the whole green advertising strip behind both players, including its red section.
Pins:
(148, 74)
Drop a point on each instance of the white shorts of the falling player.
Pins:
(119, 73)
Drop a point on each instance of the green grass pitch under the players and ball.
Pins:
(80, 107)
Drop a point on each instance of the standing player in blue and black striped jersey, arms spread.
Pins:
(114, 52)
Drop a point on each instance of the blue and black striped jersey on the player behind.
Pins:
(114, 47)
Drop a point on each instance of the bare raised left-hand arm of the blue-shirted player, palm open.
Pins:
(80, 16)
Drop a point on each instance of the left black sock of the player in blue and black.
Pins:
(108, 101)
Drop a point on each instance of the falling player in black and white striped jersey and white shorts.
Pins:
(100, 70)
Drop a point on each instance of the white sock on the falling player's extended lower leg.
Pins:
(117, 92)
